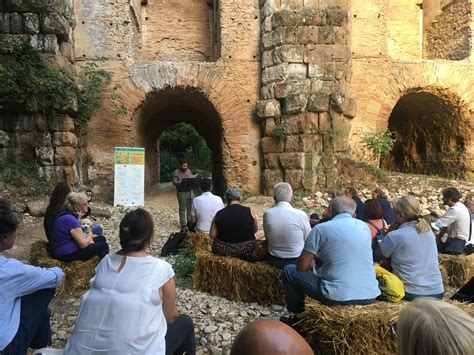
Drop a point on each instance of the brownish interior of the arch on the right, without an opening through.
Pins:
(431, 135)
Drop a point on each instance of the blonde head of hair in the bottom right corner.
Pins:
(429, 326)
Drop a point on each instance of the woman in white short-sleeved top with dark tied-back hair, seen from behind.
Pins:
(131, 305)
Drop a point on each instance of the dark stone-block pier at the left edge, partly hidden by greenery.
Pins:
(26, 133)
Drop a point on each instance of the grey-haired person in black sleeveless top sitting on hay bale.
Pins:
(233, 228)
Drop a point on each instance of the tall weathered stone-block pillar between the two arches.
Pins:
(305, 103)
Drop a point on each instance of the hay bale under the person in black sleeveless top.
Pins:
(238, 280)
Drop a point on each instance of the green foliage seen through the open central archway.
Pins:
(183, 140)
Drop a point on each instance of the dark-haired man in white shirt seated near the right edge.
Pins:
(455, 222)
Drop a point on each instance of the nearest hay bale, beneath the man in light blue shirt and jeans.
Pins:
(354, 329)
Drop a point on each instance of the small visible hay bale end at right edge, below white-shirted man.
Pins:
(458, 269)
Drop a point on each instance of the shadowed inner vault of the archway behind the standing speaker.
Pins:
(165, 108)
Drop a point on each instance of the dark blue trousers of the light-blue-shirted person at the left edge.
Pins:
(34, 329)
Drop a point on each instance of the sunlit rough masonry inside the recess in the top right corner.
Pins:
(449, 35)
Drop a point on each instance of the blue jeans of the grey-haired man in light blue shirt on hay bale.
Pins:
(297, 284)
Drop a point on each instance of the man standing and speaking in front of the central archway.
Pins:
(183, 192)
